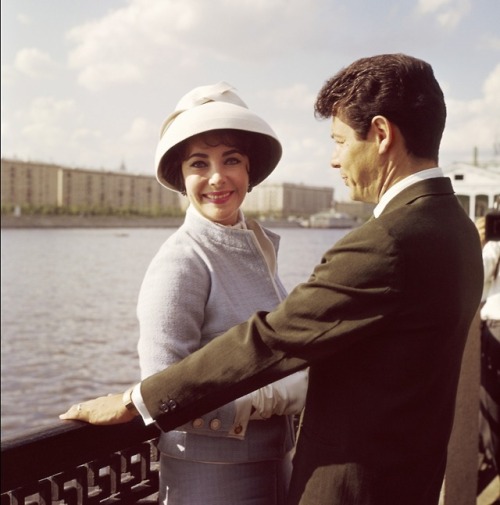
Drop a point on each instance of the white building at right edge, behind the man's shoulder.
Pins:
(476, 187)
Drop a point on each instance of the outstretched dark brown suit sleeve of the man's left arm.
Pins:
(346, 298)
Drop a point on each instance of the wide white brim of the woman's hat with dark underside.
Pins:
(217, 116)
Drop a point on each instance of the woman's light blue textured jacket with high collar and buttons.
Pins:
(205, 279)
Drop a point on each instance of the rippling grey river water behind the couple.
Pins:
(68, 322)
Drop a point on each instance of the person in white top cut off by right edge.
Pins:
(489, 414)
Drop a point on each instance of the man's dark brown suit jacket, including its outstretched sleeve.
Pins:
(382, 323)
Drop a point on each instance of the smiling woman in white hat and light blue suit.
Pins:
(212, 273)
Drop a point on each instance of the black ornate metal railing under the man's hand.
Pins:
(74, 463)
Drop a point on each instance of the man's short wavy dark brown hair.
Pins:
(399, 87)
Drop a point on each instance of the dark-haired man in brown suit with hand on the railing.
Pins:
(382, 321)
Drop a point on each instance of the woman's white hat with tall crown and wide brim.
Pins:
(215, 107)
